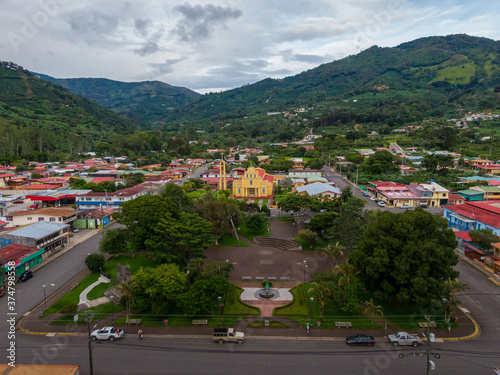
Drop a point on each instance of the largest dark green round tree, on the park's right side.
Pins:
(406, 256)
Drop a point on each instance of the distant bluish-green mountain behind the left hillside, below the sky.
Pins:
(145, 102)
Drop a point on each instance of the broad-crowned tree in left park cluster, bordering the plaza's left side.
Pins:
(180, 240)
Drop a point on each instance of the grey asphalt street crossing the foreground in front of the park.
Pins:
(201, 356)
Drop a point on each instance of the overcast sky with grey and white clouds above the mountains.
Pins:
(209, 45)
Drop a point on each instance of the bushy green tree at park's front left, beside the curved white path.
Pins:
(159, 288)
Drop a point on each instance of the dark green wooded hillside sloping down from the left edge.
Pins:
(38, 117)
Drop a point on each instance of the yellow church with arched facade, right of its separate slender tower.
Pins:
(253, 184)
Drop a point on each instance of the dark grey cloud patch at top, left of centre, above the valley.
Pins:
(199, 22)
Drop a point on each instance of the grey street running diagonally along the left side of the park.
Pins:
(58, 272)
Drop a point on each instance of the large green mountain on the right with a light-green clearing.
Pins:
(432, 76)
